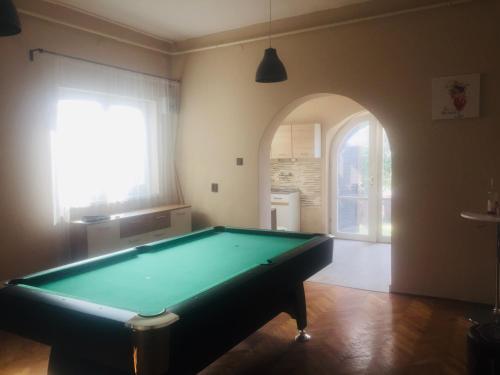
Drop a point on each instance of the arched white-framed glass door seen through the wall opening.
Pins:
(361, 183)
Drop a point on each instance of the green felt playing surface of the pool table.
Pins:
(154, 280)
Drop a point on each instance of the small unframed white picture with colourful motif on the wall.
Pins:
(456, 97)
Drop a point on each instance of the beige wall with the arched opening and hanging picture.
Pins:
(386, 65)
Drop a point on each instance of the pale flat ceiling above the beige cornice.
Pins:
(177, 20)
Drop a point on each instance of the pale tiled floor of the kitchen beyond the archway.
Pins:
(362, 265)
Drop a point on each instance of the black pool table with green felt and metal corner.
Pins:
(169, 307)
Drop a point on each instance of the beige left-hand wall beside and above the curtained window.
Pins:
(28, 239)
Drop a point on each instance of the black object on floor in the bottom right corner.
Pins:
(483, 347)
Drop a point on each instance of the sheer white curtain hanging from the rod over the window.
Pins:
(113, 138)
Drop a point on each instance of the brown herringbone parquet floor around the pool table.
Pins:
(353, 332)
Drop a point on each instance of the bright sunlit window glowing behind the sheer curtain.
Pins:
(101, 149)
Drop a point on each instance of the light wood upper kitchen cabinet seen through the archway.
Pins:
(299, 141)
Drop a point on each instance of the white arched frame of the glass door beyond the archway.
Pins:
(375, 170)
